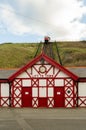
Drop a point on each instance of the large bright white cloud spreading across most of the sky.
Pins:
(59, 19)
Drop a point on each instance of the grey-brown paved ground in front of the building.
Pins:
(42, 119)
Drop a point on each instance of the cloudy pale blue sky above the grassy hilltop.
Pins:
(31, 20)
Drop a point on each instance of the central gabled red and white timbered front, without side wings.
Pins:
(63, 96)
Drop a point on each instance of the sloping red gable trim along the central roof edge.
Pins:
(48, 59)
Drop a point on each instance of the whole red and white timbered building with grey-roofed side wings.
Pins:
(43, 83)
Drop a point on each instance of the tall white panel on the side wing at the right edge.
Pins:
(82, 89)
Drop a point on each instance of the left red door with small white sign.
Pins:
(26, 97)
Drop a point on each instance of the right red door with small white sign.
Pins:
(59, 97)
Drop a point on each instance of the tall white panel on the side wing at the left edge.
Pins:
(4, 89)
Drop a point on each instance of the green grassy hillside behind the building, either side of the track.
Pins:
(17, 55)
